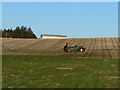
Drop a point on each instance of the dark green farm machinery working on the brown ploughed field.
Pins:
(74, 48)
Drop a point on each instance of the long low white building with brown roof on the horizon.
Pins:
(48, 36)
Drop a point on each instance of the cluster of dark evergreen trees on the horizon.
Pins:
(18, 32)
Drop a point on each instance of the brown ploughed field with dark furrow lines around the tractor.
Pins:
(96, 47)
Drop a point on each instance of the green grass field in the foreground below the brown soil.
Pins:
(58, 72)
